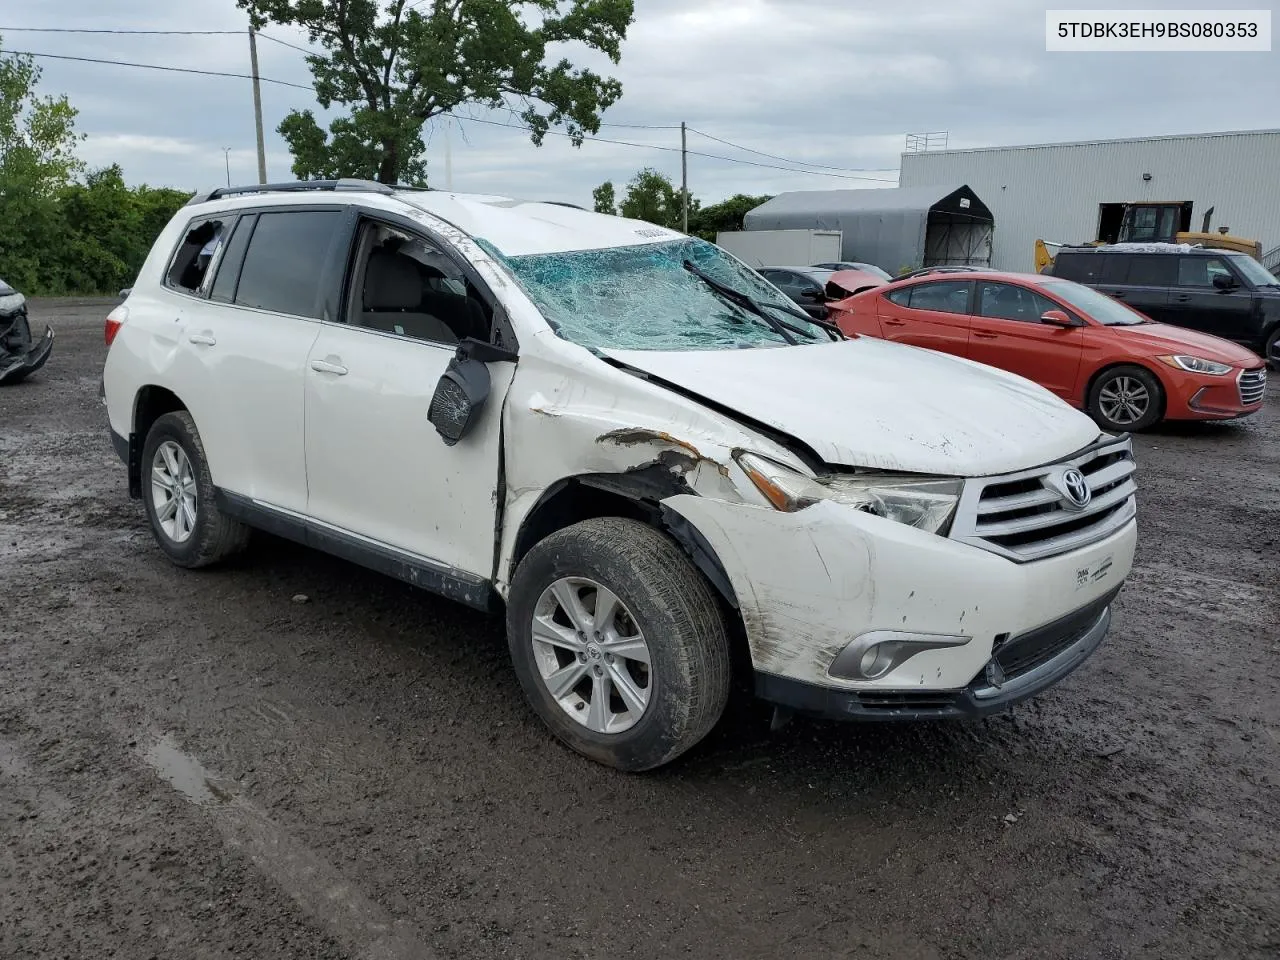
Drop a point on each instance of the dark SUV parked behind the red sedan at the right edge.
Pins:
(1215, 291)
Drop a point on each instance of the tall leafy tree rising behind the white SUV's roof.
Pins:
(395, 65)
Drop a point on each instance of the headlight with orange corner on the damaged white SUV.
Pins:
(924, 502)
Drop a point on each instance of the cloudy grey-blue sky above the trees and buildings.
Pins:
(829, 83)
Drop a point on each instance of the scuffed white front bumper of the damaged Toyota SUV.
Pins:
(810, 584)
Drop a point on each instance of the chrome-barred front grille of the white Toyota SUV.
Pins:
(1023, 518)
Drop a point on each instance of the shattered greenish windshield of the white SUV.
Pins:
(646, 299)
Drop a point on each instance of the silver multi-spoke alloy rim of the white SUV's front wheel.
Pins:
(592, 655)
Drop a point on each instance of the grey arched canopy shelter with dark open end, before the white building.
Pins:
(897, 230)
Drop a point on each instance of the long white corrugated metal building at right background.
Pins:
(1059, 191)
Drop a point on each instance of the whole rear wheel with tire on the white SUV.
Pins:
(204, 534)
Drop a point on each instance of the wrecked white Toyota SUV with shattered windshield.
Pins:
(647, 452)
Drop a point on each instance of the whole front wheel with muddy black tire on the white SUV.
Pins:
(664, 600)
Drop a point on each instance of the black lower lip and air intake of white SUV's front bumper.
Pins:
(1020, 670)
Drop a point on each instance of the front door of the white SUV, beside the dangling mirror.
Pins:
(377, 469)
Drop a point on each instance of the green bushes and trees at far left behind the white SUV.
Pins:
(62, 236)
